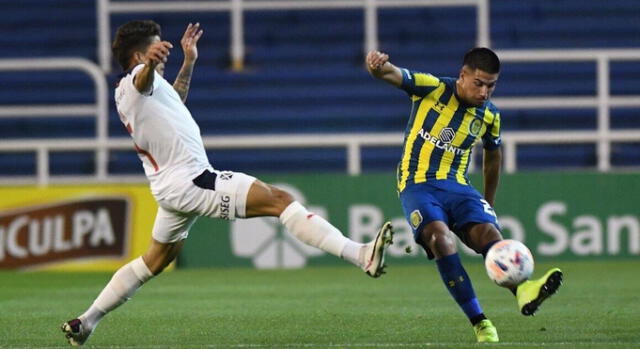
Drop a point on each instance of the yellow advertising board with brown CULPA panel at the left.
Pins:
(74, 227)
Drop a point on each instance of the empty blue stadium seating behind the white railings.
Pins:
(304, 74)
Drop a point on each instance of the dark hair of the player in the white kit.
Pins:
(131, 37)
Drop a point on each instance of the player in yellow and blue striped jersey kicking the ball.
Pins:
(448, 116)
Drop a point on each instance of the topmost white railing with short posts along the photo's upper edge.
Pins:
(237, 8)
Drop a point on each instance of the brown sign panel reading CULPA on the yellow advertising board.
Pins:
(80, 229)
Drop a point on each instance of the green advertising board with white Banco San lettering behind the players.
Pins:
(566, 216)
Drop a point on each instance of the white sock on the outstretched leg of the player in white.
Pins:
(315, 231)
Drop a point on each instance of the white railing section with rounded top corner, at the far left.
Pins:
(98, 109)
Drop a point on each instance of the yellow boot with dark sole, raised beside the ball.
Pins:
(532, 293)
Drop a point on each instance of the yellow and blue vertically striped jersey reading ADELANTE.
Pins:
(442, 131)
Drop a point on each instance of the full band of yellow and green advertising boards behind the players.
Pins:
(559, 216)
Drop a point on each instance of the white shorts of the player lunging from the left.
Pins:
(177, 211)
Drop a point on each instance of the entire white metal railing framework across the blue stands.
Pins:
(353, 143)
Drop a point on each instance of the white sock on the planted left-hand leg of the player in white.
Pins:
(122, 286)
